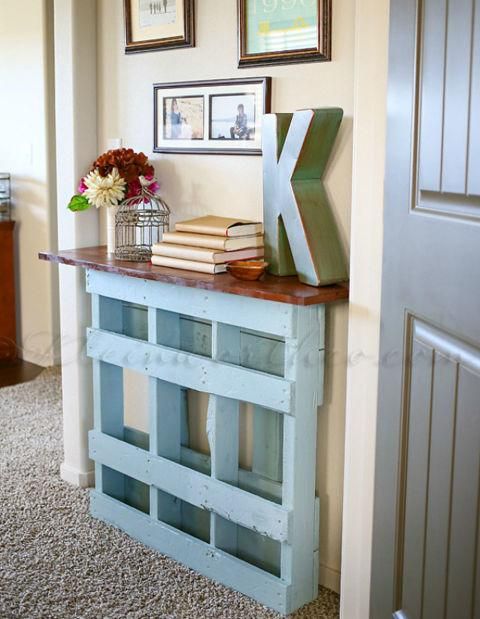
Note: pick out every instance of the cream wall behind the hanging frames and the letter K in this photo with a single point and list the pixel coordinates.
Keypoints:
(193, 185)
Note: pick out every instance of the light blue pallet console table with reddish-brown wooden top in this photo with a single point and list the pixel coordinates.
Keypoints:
(251, 346)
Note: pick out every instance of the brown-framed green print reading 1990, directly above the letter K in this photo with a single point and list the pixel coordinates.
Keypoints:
(283, 31)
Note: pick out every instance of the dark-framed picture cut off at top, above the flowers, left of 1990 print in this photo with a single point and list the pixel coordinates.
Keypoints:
(153, 25)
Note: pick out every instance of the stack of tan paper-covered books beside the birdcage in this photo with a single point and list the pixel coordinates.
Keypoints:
(208, 244)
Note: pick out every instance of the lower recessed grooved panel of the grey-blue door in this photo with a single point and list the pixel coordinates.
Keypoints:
(441, 476)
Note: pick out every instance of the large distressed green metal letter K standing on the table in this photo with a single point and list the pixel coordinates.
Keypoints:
(301, 236)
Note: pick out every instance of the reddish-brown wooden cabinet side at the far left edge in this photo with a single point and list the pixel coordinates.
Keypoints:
(8, 347)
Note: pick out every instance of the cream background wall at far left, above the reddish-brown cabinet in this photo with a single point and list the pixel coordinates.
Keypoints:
(25, 131)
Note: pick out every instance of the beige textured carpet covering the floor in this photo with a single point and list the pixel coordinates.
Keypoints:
(57, 562)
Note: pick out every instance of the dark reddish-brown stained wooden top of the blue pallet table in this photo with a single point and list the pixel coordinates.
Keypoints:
(269, 287)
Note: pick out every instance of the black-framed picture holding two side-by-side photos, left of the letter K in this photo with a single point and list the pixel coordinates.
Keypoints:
(215, 116)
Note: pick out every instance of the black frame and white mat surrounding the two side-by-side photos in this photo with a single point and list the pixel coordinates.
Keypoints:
(258, 86)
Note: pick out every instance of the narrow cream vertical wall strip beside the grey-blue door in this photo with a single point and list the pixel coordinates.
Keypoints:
(371, 59)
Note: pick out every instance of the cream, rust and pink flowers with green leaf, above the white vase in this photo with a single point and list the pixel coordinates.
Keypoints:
(115, 176)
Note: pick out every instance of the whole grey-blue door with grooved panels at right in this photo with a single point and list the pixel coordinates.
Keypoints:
(426, 537)
